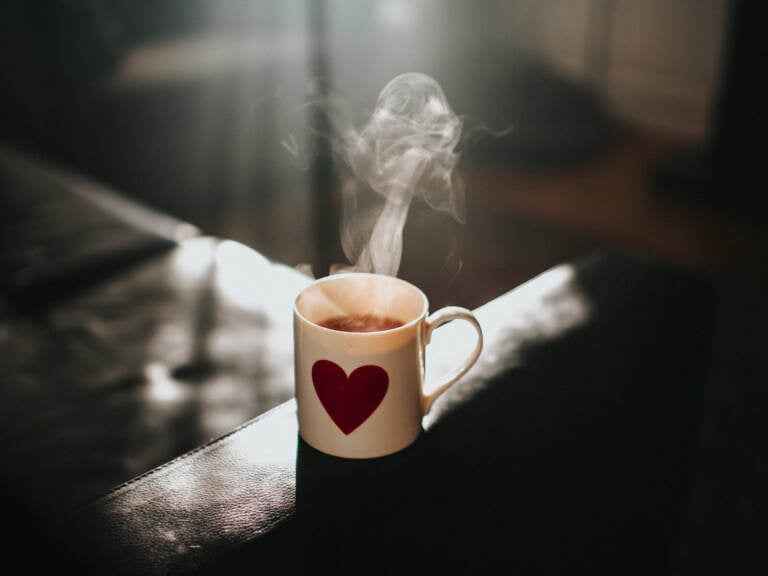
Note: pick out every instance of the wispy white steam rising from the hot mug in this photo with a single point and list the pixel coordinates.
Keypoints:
(405, 150)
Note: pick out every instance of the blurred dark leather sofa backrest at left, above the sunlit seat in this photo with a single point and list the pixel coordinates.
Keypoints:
(60, 231)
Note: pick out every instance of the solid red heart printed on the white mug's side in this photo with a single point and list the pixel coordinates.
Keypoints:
(349, 401)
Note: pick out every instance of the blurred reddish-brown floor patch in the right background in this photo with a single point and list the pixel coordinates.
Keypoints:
(613, 199)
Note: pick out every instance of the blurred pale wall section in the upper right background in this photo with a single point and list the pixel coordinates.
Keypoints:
(656, 62)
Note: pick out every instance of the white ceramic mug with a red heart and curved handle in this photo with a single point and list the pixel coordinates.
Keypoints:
(360, 394)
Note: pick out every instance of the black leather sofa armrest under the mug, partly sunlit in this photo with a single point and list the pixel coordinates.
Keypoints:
(565, 449)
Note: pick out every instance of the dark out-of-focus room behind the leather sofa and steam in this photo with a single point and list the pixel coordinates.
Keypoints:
(633, 125)
